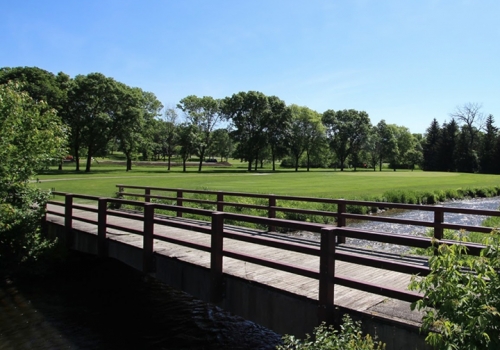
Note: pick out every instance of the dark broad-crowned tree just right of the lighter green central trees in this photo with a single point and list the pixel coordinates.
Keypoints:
(346, 130)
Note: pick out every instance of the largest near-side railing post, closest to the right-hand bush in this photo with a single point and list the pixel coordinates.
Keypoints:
(326, 275)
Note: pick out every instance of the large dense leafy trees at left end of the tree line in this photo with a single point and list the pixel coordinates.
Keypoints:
(96, 110)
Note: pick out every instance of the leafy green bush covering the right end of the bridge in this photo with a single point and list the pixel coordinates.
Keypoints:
(461, 298)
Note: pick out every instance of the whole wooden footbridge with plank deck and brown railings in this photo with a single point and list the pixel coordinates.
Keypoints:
(286, 283)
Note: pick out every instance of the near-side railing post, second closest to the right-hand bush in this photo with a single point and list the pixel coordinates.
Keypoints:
(216, 280)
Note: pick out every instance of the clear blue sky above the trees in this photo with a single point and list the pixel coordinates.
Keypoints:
(403, 61)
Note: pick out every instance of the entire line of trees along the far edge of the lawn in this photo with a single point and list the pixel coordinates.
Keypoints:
(102, 115)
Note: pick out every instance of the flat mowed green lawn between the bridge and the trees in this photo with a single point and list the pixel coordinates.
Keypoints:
(329, 183)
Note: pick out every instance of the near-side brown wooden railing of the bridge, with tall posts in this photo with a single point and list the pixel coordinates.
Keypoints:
(219, 230)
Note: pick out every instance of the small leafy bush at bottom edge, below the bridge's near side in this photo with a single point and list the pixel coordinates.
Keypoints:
(349, 337)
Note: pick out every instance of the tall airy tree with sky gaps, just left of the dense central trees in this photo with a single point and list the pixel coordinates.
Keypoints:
(205, 114)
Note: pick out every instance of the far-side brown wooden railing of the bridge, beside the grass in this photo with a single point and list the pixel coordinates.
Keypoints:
(341, 213)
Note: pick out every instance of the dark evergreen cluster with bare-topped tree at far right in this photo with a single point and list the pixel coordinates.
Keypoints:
(469, 142)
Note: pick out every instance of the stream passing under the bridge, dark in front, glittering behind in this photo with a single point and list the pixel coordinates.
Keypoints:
(93, 304)
